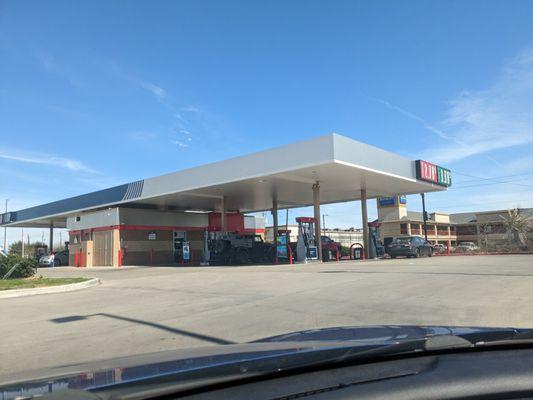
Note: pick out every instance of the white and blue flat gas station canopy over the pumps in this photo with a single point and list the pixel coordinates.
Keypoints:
(251, 183)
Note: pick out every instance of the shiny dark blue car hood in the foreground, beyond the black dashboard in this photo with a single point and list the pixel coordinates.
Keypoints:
(120, 370)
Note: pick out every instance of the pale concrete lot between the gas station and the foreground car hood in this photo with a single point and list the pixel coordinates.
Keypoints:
(139, 310)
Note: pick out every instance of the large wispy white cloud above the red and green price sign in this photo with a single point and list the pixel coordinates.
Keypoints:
(499, 117)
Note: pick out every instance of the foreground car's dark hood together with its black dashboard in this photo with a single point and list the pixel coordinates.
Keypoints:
(371, 362)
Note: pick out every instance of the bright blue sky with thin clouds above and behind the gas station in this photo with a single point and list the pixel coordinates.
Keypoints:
(98, 93)
